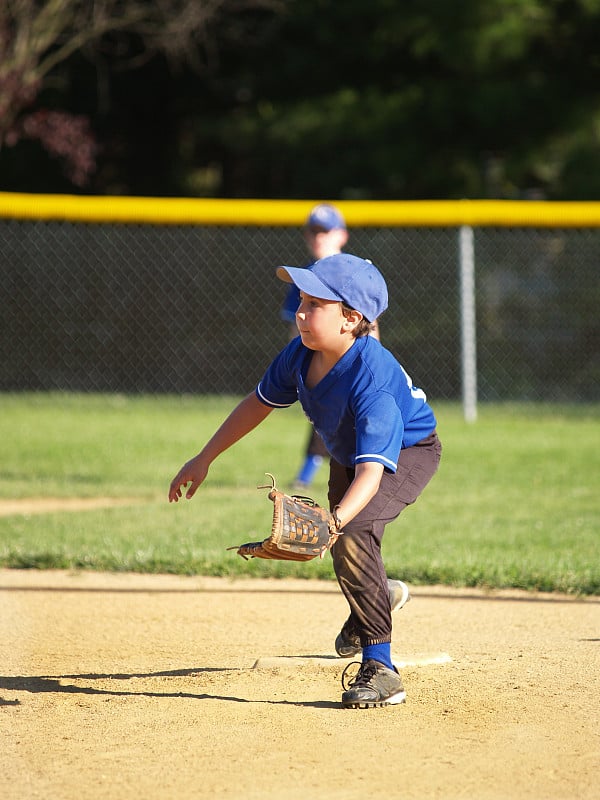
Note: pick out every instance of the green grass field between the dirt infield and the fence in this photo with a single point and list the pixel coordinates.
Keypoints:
(516, 502)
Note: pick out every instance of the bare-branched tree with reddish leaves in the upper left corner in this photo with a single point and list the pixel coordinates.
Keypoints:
(37, 36)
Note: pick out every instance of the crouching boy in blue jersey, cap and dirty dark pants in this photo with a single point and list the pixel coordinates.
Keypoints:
(380, 433)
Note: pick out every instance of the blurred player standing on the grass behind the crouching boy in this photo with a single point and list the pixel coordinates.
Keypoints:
(325, 234)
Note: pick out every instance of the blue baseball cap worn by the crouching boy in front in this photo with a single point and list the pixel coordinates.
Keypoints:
(343, 277)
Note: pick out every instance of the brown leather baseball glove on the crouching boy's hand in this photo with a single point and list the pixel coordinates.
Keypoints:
(300, 531)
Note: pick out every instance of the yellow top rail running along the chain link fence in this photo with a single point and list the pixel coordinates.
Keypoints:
(358, 213)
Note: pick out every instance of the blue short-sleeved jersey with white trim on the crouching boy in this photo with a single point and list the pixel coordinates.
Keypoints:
(365, 409)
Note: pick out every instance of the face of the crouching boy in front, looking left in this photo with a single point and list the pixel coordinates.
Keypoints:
(321, 323)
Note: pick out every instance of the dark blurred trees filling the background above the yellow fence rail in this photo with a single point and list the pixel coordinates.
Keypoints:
(319, 98)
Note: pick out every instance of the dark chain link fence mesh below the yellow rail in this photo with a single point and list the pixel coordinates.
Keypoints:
(196, 308)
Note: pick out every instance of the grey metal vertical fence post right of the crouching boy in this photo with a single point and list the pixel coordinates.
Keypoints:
(468, 336)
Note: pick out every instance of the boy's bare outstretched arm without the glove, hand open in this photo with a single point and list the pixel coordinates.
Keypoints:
(244, 418)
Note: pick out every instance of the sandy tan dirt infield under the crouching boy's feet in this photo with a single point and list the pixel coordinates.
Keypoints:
(121, 686)
